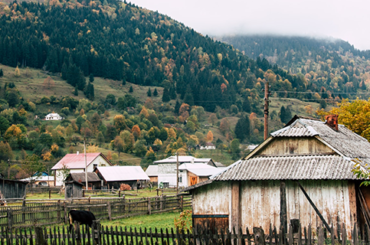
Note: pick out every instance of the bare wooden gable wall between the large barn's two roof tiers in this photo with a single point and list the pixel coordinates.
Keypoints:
(281, 146)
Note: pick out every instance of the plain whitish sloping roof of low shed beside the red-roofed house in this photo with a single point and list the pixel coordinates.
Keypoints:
(123, 173)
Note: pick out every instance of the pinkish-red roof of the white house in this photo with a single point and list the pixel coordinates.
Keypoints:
(73, 161)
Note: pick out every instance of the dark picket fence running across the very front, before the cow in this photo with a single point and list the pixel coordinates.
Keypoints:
(133, 236)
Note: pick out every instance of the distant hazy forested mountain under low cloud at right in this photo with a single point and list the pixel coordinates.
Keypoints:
(332, 66)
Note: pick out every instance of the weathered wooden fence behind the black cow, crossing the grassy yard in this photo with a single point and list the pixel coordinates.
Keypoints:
(40, 214)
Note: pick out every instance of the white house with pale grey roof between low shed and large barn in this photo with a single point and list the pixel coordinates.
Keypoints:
(167, 169)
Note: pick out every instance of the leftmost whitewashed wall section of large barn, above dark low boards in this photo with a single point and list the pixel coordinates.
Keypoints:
(212, 199)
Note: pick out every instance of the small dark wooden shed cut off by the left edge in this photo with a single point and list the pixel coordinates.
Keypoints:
(12, 188)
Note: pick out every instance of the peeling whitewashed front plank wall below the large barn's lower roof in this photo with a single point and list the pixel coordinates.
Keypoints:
(260, 202)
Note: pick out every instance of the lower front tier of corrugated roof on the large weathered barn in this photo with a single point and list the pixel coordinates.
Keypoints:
(289, 167)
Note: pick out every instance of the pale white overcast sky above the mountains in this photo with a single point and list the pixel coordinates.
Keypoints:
(343, 19)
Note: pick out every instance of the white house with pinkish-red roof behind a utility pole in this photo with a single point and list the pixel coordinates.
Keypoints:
(75, 163)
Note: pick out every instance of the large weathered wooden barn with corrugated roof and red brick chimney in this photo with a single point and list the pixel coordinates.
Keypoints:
(302, 167)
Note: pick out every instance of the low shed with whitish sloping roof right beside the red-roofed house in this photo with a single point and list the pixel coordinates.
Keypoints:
(114, 176)
